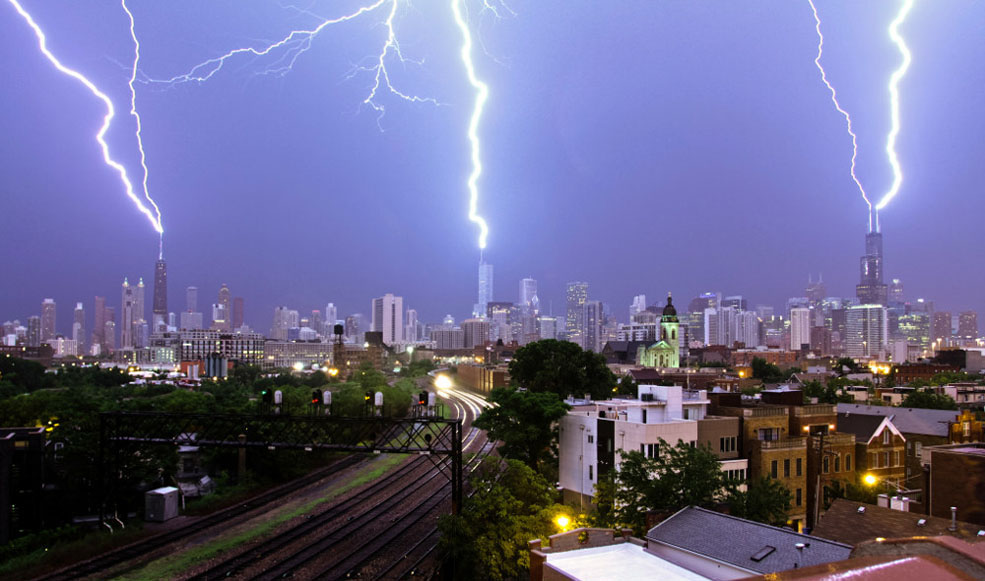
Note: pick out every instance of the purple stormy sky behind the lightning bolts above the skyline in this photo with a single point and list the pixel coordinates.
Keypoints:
(642, 146)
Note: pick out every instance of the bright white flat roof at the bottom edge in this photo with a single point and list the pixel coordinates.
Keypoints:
(621, 561)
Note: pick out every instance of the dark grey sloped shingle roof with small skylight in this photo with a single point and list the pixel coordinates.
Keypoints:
(751, 545)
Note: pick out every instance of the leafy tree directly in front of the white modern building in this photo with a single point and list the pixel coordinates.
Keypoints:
(678, 476)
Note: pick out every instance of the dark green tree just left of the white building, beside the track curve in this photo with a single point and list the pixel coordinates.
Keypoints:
(524, 421)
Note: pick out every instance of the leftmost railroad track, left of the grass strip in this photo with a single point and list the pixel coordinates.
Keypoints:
(142, 547)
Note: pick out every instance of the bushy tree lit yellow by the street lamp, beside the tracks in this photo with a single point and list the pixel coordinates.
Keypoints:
(511, 505)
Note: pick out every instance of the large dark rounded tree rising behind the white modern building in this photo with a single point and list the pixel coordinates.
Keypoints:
(563, 368)
